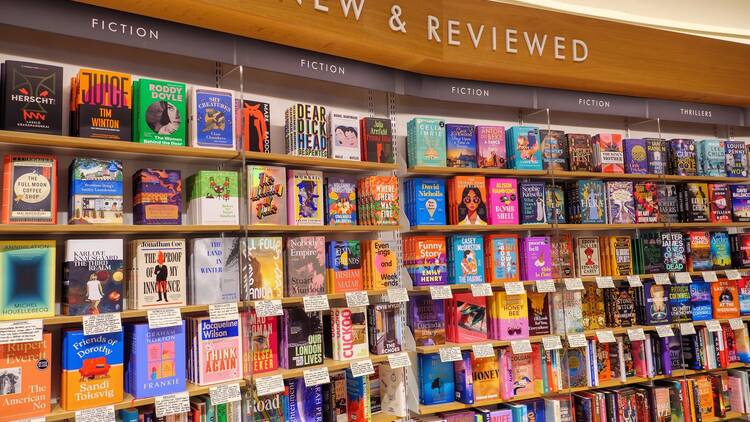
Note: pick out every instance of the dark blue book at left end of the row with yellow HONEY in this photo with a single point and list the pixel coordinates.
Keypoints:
(436, 379)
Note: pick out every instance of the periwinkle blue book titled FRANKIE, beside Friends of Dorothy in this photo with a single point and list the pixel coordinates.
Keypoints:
(155, 360)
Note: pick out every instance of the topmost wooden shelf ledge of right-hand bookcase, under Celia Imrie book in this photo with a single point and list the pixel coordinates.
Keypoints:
(561, 174)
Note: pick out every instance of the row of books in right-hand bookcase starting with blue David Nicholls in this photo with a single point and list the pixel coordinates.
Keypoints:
(476, 200)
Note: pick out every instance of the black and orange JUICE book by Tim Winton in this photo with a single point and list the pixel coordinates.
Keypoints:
(101, 105)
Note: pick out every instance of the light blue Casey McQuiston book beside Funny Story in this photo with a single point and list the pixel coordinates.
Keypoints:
(466, 259)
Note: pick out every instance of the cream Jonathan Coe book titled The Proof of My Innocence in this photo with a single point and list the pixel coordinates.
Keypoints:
(158, 275)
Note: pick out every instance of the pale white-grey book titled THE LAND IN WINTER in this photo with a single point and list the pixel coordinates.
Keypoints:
(215, 270)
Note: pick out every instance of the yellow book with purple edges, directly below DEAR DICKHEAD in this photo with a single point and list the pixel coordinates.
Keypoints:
(305, 197)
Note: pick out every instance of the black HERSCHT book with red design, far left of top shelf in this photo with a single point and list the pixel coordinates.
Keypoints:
(32, 97)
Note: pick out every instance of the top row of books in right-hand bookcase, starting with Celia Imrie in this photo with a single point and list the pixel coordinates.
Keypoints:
(432, 142)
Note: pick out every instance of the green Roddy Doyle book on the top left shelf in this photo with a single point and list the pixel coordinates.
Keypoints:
(160, 112)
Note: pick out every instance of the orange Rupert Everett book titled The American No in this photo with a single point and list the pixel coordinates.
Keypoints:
(25, 378)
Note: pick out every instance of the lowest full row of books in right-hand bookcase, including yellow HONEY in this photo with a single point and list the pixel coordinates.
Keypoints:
(505, 375)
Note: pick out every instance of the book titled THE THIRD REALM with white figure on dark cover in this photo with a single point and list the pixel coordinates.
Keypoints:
(93, 276)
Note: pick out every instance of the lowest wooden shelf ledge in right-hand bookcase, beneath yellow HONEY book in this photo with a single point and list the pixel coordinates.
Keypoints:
(445, 407)
